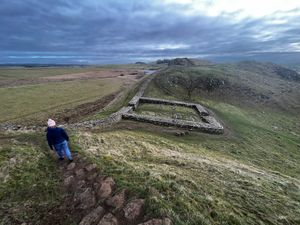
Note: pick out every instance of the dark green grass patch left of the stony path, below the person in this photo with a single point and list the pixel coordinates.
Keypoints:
(29, 181)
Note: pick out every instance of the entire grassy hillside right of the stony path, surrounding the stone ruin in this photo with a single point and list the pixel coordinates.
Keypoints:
(250, 175)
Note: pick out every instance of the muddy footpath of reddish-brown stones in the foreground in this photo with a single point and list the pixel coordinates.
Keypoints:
(92, 199)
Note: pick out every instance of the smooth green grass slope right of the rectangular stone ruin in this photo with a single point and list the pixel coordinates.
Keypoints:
(264, 138)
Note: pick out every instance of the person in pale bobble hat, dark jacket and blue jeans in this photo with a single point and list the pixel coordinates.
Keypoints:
(58, 138)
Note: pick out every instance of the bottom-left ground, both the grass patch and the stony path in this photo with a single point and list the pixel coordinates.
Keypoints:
(36, 188)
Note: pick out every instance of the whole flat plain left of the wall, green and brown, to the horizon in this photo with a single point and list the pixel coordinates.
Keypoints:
(33, 94)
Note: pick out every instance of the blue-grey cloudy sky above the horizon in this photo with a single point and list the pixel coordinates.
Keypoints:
(117, 31)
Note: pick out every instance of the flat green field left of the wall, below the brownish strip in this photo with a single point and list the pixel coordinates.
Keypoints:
(44, 99)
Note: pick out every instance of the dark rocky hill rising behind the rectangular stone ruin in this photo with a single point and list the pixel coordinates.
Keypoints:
(247, 84)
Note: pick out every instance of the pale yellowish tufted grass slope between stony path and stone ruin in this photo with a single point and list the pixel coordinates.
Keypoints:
(192, 183)
